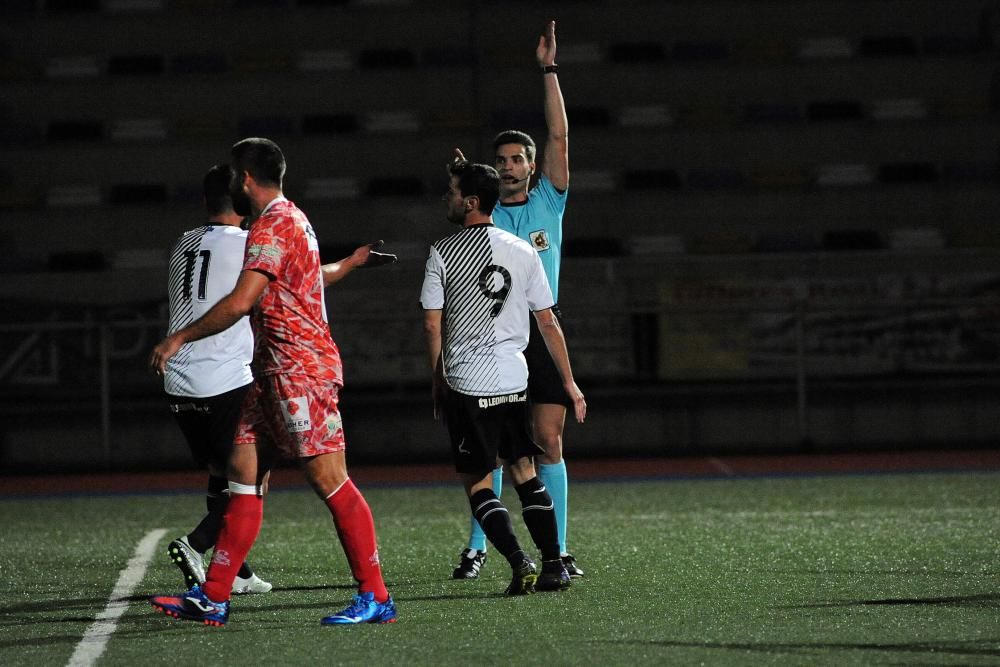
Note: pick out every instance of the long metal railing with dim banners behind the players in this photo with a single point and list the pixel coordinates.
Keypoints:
(98, 363)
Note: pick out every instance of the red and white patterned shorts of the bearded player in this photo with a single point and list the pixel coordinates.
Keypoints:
(296, 415)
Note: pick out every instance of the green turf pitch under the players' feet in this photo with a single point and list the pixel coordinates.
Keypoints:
(838, 570)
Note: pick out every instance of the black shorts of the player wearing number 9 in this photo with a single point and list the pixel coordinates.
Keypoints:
(481, 428)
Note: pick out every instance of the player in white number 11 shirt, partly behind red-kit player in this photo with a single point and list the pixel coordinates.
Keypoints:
(207, 380)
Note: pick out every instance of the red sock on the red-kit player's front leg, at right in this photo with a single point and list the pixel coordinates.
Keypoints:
(356, 529)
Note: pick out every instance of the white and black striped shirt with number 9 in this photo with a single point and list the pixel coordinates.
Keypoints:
(486, 281)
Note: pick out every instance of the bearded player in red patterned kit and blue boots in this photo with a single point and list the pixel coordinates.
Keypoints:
(292, 406)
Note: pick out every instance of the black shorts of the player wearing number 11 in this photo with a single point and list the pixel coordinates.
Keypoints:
(209, 424)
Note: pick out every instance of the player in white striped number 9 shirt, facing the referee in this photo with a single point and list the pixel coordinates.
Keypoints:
(479, 286)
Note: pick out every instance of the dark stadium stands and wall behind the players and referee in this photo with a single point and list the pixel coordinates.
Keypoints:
(781, 233)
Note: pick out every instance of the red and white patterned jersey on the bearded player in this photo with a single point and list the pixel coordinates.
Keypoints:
(289, 322)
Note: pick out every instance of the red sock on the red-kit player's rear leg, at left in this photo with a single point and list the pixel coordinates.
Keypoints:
(240, 526)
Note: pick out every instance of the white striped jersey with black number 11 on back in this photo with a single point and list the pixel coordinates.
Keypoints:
(204, 266)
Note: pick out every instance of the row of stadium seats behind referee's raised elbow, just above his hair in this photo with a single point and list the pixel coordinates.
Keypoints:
(14, 133)
